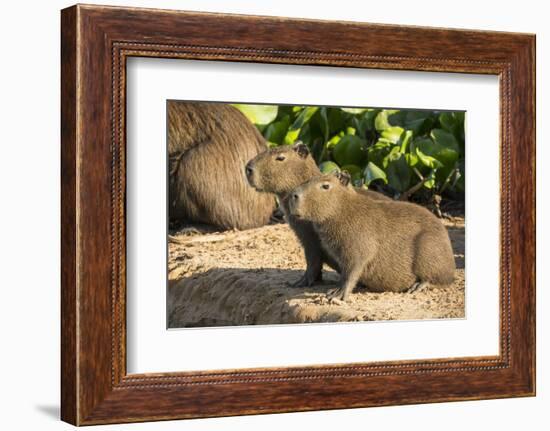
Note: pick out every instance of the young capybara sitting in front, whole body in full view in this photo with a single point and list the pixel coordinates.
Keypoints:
(388, 246)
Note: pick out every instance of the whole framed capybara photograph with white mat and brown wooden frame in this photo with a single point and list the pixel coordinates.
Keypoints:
(258, 216)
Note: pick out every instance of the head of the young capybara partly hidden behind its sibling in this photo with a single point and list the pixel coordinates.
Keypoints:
(281, 169)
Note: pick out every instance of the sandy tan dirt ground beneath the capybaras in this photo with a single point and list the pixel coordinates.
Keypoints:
(243, 278)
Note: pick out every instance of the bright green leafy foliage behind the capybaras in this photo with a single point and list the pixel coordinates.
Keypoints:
(401, 151)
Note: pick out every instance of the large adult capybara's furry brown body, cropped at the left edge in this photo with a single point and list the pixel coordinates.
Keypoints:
(208, 144)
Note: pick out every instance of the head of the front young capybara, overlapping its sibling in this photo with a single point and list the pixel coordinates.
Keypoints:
(319, 198)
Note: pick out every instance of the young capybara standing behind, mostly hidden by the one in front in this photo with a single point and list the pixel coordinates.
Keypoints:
(280, 170)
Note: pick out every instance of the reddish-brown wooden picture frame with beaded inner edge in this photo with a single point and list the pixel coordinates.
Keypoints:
(95, 43)
